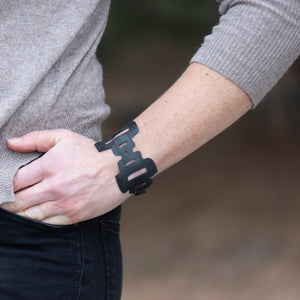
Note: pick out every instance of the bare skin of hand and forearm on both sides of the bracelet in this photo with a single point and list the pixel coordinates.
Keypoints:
(73, 182)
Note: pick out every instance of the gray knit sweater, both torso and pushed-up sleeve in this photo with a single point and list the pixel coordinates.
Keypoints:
(50, 77)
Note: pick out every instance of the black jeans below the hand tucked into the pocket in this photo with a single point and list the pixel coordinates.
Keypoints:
(42, 262)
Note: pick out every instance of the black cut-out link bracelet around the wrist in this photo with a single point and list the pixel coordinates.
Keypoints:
(135, 171)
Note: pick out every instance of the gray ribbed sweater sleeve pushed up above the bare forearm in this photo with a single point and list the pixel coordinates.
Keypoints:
(254, 44)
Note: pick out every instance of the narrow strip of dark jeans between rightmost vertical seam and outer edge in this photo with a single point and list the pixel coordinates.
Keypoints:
(110, 230)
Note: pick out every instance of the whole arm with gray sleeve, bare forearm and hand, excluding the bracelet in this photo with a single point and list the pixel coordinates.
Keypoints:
(254, 44)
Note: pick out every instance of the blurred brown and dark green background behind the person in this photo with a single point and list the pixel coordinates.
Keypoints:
(225, 222)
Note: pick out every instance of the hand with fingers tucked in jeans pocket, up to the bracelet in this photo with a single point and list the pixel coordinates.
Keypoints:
(71, 182)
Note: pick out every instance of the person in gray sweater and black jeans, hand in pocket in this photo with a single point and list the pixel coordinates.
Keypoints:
(60, 197)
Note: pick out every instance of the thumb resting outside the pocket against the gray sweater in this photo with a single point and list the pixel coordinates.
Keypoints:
(41, 141)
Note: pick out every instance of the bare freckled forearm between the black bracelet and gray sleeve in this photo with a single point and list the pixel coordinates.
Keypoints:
(201, 104)
